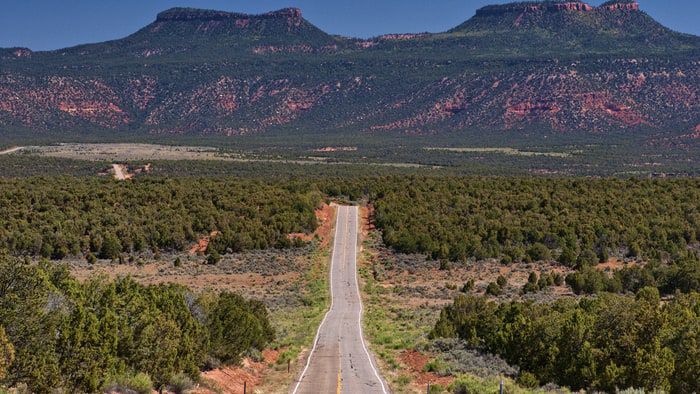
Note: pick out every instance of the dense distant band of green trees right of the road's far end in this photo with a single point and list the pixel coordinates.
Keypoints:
(578, 222)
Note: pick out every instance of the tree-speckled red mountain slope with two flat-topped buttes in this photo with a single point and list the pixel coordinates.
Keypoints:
(554, 65)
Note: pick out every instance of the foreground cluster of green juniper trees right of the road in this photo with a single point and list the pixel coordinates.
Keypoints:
(606, 343)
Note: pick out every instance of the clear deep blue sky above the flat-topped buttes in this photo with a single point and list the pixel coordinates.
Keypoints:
(53, 24)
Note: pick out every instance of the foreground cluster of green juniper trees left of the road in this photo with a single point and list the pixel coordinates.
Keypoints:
(56, 332)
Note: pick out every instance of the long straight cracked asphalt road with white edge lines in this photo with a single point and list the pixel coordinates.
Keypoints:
(339, 361)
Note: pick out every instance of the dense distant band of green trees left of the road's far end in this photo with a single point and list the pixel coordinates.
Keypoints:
(61, 216)
